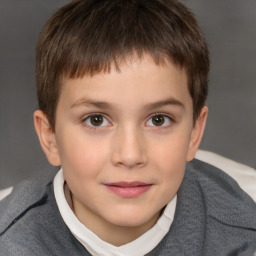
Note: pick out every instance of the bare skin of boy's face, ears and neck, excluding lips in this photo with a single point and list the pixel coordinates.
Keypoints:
(128, 145)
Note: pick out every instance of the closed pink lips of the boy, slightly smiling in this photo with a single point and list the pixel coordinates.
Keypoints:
(128, 189)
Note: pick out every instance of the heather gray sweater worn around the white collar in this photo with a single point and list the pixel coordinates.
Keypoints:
(213, 217)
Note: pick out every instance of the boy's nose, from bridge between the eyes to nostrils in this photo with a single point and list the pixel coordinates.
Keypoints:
(129, 149)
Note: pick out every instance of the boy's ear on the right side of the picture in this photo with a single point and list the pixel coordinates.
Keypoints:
(197, 133)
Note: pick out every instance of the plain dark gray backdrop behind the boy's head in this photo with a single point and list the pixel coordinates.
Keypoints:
(230, 28)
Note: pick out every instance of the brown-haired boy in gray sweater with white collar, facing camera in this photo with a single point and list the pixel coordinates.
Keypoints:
(122, 87)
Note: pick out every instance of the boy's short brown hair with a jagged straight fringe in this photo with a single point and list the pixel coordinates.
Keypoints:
(86, 37)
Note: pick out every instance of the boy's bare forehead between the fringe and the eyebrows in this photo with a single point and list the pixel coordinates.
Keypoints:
(137, 80)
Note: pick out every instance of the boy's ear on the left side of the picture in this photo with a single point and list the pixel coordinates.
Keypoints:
(46, 137)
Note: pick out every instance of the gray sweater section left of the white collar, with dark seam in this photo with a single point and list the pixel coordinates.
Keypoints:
(31, 224)
